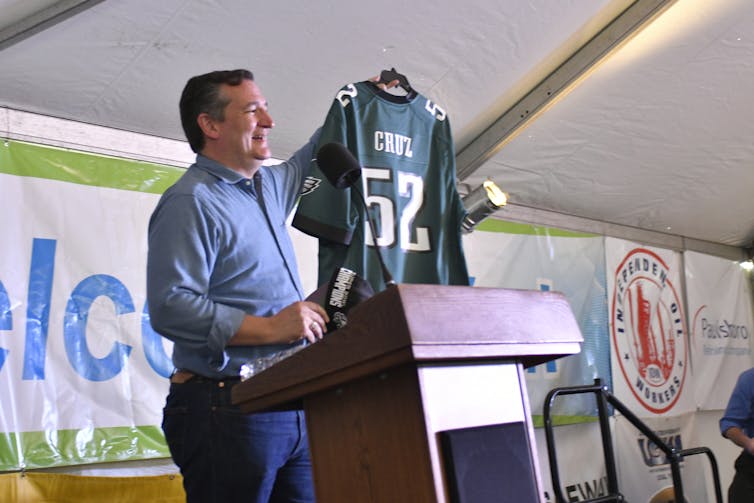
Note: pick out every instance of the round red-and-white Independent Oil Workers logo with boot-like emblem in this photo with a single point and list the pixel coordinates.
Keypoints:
(649, 331)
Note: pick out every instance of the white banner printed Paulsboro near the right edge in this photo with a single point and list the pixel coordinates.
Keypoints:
(719, 304)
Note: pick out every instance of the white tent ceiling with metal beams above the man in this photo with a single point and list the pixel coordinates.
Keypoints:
(655, 136)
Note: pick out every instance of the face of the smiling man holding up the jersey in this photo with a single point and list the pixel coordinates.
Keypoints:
(243, 133)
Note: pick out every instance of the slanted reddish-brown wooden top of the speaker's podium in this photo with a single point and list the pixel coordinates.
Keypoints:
(422, 323)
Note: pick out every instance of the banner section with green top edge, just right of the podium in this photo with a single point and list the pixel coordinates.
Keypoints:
(507, 255)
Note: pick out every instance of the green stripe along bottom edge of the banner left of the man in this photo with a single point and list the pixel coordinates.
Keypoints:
(42, 449)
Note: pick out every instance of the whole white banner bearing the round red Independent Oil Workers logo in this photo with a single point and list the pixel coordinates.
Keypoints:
(648, 332)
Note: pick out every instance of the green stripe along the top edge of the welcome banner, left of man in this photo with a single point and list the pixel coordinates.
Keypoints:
(53, 163)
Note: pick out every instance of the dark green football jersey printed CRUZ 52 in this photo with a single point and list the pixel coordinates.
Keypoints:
(408, 181)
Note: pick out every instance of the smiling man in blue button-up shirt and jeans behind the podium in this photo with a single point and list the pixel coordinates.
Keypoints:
(222, 284)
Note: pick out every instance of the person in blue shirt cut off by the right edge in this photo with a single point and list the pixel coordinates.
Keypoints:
(737, 425)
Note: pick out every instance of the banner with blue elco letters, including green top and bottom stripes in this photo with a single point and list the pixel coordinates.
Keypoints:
(82, 374)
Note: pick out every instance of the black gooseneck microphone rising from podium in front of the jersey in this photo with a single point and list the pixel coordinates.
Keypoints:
(342, 169)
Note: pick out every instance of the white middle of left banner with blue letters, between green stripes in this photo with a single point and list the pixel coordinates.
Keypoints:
(75, 282)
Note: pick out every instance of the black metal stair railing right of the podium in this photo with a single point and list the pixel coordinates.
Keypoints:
(605, 398)
